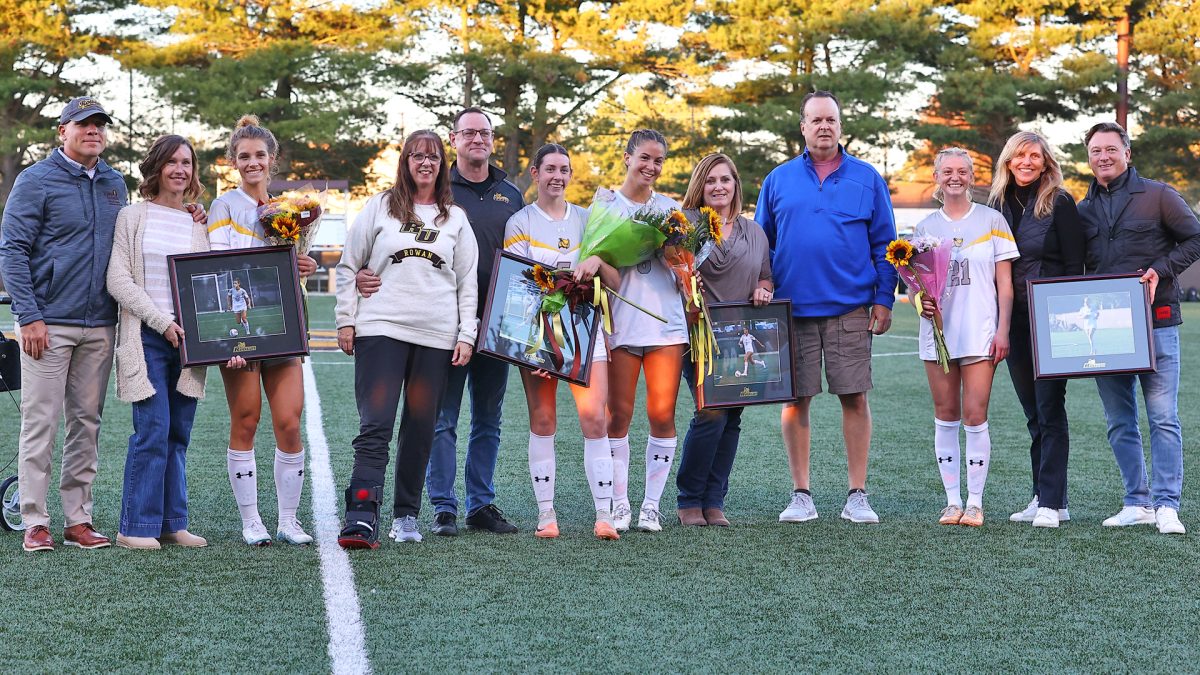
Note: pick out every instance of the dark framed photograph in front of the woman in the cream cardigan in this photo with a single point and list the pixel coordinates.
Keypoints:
(244, 303)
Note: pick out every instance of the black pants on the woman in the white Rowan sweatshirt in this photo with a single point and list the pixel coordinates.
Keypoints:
(385, 367)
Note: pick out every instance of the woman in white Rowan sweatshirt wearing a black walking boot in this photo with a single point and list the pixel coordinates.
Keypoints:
(406, 337)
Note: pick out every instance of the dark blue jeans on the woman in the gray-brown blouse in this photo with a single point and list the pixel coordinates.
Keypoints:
(709, 452)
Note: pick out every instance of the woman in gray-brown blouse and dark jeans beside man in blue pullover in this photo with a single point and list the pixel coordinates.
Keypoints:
(736, 272)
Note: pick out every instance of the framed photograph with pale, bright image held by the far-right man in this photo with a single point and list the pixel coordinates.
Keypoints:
(1091, 326)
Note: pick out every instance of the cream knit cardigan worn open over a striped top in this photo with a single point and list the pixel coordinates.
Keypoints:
(127, 285)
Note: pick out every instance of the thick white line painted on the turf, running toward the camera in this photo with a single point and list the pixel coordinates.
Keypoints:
(347, 642)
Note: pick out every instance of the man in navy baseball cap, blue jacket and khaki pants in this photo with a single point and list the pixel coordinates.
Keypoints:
(56, 240)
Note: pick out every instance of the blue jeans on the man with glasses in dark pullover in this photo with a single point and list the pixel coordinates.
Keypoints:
(487, 379)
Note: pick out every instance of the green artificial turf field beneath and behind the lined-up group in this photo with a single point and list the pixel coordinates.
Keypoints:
(907, 595)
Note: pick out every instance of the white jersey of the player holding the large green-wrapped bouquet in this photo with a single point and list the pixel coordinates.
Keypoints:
(651, 285)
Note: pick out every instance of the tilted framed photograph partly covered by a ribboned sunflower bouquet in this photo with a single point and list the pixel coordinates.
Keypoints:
(512, 326)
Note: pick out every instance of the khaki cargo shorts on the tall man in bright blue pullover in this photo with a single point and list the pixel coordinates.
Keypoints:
(845, 345)
